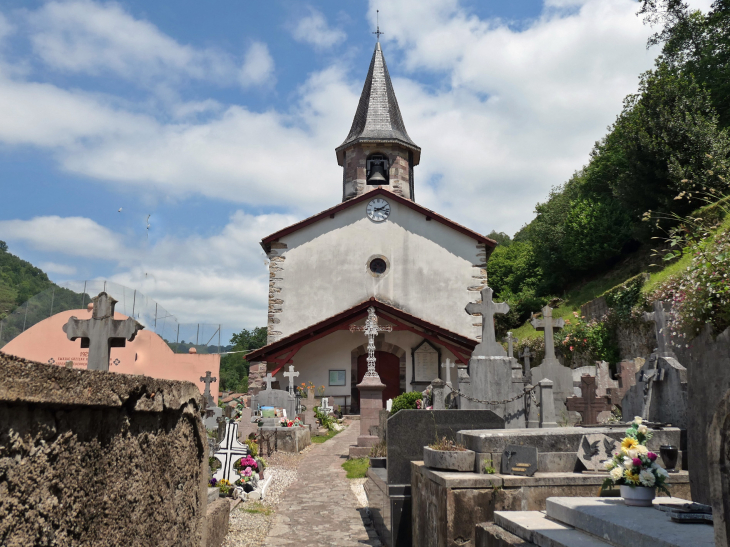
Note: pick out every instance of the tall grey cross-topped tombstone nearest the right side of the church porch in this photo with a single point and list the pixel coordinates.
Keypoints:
(492, 376)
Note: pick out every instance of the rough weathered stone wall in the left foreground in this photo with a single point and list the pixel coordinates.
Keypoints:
(97, 458)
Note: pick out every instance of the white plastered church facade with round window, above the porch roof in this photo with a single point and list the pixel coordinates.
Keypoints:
(432, 268)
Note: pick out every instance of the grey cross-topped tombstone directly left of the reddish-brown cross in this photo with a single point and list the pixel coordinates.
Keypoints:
(551, 369)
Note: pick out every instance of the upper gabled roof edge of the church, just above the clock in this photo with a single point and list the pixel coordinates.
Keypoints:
(380, 191)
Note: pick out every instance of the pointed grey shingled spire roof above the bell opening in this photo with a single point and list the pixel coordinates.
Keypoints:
(378, 118)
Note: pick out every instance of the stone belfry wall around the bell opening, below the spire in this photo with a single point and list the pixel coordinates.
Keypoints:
(355, 170)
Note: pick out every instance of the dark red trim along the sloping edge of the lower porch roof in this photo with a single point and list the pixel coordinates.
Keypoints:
(280, 346)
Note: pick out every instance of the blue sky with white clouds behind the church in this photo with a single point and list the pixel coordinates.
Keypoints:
(220, 121)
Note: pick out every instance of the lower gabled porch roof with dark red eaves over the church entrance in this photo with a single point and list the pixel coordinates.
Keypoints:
(280, 352)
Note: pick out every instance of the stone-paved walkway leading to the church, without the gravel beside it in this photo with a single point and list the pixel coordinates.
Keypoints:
(320, 508)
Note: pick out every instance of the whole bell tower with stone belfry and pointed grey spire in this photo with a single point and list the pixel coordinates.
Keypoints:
(378, 150)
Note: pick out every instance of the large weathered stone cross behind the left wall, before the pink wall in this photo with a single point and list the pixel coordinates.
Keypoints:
(102, 332)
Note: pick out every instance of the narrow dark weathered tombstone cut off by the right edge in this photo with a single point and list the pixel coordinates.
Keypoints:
(718, 456)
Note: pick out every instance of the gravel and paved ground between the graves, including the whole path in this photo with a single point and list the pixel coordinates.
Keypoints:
(310, 501)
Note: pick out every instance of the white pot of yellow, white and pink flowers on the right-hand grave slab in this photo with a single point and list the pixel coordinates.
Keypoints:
(634, 469)
